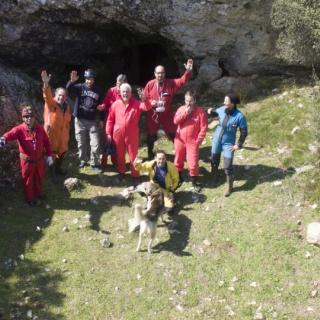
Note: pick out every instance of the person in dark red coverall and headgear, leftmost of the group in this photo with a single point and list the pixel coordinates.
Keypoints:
(32, 141)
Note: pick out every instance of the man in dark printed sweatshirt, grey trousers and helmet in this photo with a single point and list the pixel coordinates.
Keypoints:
(87, 117)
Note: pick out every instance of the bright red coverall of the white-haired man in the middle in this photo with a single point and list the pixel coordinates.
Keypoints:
(123, 126)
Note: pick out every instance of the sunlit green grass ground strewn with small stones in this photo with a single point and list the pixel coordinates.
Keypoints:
(251, 237)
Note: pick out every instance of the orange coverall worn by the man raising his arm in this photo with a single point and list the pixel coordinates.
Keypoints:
(56, 123)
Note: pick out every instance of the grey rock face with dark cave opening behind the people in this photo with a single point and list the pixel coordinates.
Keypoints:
(226, 38)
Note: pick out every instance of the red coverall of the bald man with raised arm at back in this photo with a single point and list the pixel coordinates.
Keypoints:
(152, 92)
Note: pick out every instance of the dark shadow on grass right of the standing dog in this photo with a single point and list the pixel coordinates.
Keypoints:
(179, 237)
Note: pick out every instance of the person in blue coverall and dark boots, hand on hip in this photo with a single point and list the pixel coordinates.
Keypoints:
(224, 139)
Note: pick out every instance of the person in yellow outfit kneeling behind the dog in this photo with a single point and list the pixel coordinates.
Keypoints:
(163, 173)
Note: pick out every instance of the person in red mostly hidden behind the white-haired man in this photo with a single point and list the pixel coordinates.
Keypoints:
(112, 95)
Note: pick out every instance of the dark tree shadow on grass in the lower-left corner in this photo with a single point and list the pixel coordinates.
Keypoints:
(25, 285)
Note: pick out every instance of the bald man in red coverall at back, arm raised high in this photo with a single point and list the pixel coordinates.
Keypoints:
(160, 91)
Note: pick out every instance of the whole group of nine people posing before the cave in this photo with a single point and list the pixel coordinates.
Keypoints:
(117, 113)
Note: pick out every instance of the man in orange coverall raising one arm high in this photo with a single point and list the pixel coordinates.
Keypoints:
(57, 117)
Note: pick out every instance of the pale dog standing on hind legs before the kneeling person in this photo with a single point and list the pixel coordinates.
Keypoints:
(147, 217)
